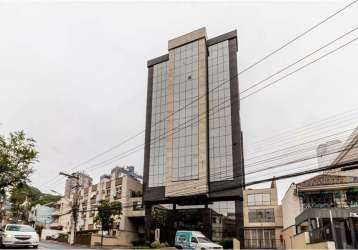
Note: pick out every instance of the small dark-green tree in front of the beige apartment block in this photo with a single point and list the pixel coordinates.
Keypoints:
(107, 213)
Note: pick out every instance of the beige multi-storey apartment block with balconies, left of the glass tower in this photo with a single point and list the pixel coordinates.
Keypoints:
(117, 186)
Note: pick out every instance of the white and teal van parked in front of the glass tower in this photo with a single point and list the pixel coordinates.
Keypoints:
(194, 240)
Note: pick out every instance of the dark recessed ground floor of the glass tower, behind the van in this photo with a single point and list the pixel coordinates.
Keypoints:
(220, 221)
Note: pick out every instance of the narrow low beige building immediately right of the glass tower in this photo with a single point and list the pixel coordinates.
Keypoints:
(262, 218)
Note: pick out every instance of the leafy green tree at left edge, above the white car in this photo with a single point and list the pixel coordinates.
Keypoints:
(17, 154)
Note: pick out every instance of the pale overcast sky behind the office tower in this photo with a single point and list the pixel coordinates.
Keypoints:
(73, 75)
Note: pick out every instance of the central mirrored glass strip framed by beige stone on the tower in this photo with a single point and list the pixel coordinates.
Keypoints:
(185, 113)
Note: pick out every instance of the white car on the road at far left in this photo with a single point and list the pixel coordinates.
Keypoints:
(18, 235)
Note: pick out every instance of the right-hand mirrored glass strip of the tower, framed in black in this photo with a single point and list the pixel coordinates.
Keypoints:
(220, 134)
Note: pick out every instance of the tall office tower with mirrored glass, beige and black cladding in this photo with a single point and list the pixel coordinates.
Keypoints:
(193, 163)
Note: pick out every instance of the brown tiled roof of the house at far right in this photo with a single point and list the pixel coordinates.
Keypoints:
(328, 179)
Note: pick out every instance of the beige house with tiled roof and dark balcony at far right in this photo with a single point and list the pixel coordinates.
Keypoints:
(321, 212)
